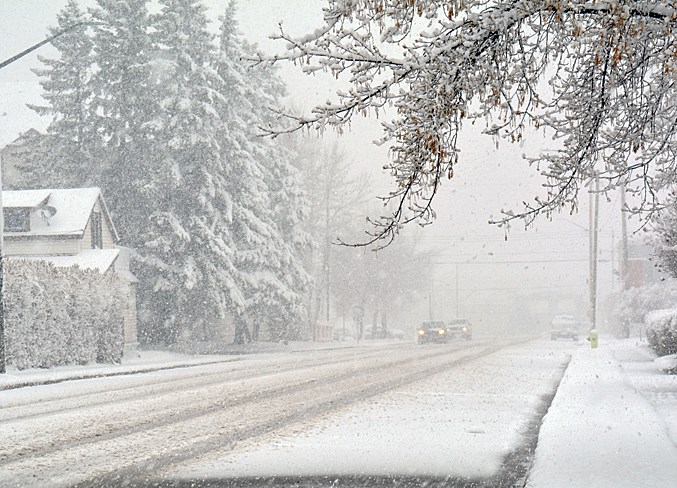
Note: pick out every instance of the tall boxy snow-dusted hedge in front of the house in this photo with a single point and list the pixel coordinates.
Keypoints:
(58, 316)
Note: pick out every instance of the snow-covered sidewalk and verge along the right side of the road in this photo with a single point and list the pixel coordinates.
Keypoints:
(603, 429)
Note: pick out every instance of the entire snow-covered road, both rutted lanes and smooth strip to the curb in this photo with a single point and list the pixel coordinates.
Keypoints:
(181, 423)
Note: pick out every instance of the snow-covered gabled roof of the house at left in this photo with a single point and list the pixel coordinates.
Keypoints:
(73, 209)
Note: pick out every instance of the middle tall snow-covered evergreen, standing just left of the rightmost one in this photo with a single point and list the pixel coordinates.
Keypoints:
(187, 257)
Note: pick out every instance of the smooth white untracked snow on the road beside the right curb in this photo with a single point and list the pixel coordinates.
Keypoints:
(461, 422)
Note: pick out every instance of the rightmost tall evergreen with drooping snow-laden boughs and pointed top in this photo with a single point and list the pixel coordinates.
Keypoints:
(269, 207)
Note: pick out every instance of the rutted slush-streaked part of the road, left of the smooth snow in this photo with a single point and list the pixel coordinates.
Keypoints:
(97, 430)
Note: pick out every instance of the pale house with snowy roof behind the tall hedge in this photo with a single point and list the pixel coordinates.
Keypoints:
(69, 227)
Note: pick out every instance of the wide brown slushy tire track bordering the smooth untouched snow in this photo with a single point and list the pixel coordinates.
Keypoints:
(130, 452)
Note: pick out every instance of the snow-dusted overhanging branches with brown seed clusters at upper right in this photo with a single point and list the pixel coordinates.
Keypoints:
(599, 76)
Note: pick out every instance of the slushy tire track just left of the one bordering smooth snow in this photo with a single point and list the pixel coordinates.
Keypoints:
(51, 434)
